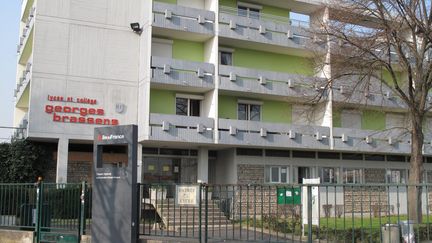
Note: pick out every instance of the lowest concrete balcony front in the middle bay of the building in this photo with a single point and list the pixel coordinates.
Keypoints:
(254, 133)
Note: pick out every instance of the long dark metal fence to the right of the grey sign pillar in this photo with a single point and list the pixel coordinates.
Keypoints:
(280, 213)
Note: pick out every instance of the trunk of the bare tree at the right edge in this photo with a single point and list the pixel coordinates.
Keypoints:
(416, 170)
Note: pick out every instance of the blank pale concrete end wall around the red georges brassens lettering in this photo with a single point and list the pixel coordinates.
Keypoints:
(83, 50)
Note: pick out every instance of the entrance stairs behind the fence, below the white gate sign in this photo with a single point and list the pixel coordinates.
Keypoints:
(182, 218)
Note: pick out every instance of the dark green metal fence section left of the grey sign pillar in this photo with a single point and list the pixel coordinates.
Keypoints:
(55, 212)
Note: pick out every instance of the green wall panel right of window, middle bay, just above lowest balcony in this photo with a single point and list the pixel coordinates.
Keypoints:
(276, 111)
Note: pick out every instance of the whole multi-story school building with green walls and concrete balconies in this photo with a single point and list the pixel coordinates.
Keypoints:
(220, 91)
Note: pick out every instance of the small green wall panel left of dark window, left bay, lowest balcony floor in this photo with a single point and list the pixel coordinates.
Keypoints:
(162, 101)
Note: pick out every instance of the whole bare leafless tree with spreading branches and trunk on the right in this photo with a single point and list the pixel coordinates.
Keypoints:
(383, 45)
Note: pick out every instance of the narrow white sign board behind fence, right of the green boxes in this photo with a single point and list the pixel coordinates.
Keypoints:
(314, 200)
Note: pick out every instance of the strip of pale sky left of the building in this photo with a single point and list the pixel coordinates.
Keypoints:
(10, 11)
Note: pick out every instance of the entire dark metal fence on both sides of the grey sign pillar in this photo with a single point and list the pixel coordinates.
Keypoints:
(270, 213)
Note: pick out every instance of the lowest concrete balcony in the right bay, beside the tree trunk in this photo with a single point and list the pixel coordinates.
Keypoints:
(387, 141)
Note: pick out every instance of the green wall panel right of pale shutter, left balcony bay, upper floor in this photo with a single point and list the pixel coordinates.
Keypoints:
(188, 50)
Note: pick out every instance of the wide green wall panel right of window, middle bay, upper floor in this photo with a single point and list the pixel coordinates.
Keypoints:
(272, 62)
